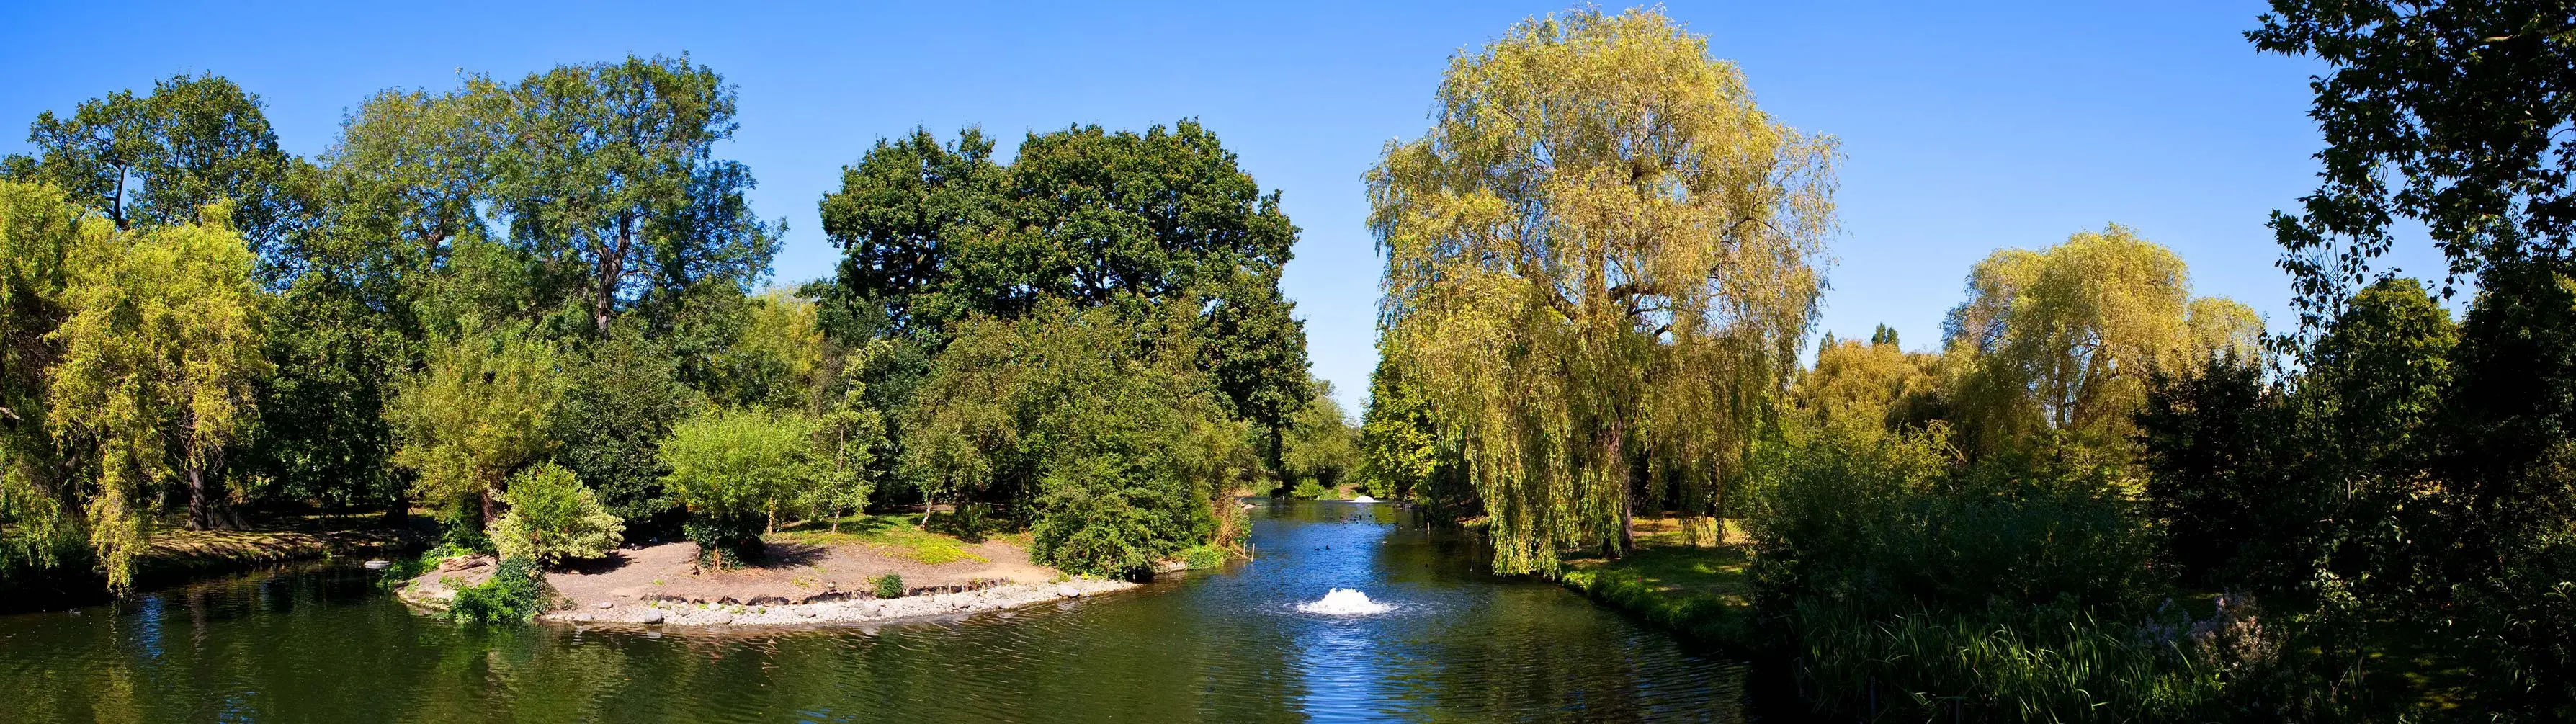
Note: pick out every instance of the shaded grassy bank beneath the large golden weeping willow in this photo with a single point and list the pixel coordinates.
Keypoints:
(1683, 578)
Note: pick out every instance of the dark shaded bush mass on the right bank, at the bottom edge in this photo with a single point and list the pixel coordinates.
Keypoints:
(1985, 591)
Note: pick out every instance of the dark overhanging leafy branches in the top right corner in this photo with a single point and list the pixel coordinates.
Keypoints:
(2415, 133)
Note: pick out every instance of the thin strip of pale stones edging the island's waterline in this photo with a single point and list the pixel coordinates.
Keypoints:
(836, 612)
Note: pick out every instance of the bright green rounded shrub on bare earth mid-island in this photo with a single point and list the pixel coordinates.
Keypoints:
(730, 470)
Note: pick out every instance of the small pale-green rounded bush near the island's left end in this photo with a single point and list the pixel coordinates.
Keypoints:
(553, 519)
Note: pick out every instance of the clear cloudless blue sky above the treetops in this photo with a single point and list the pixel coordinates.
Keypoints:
(1969, 130)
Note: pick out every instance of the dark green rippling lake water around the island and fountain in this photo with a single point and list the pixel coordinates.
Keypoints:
(1459, 645)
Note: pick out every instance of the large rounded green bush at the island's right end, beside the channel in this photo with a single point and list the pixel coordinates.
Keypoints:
(1114, 442)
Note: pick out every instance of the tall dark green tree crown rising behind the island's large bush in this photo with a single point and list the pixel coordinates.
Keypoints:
(939, 233)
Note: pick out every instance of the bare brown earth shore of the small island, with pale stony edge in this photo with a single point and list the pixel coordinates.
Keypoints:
(810, 576)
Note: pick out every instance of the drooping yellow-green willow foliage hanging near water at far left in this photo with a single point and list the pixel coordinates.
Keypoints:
(158, 354)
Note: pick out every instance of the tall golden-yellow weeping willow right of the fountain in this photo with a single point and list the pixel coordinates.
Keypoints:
(1598, 269)
